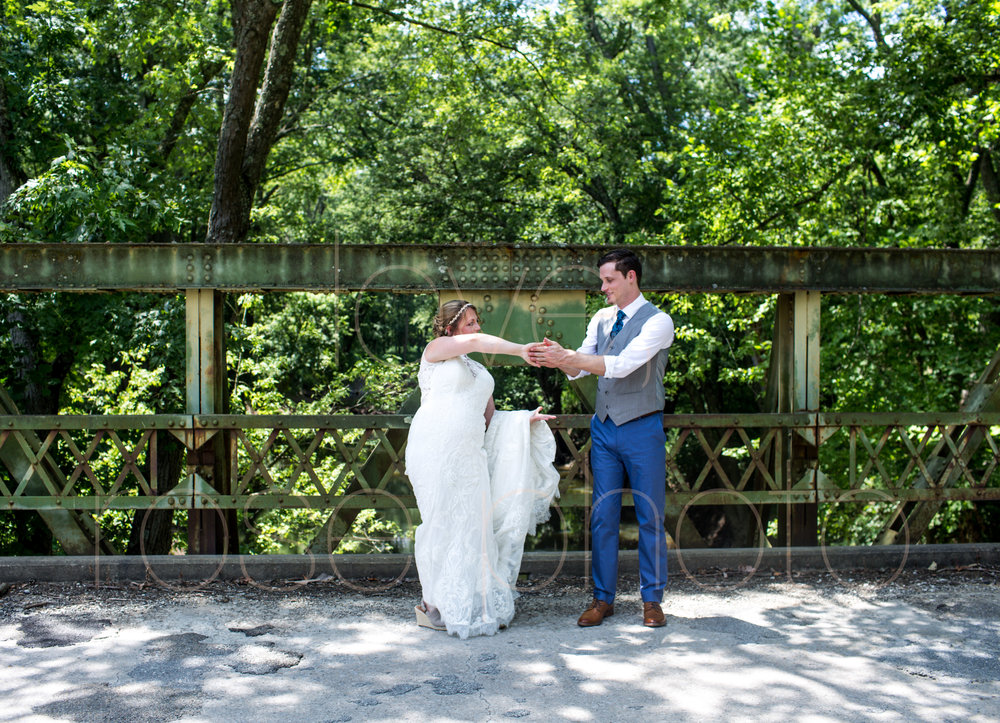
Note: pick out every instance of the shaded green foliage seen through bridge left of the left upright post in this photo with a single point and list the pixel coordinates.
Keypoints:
(101, 354)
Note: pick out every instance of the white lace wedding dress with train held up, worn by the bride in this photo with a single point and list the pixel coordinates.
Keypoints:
(479, 491)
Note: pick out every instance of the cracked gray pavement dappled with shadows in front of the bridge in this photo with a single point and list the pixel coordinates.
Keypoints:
(924, 646)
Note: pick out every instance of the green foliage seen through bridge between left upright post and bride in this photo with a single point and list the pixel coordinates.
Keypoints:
(320, 354)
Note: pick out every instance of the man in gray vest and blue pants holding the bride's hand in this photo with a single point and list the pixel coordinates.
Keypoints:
(626, 345)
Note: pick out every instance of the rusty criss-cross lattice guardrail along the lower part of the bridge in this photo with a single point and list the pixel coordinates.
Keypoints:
(345, 463)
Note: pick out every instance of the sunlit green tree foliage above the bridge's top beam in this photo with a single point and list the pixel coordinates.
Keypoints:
(618, 121)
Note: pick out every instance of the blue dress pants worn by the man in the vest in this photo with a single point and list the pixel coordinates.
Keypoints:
(634, 451)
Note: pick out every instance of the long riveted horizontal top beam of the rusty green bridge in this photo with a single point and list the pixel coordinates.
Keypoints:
(169, 268)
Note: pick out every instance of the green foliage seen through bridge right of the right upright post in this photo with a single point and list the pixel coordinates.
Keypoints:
(936, 348)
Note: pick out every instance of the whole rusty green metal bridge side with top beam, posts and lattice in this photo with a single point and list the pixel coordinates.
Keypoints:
(70, 469)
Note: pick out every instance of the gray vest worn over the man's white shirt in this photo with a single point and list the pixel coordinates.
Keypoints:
(641, 392)
